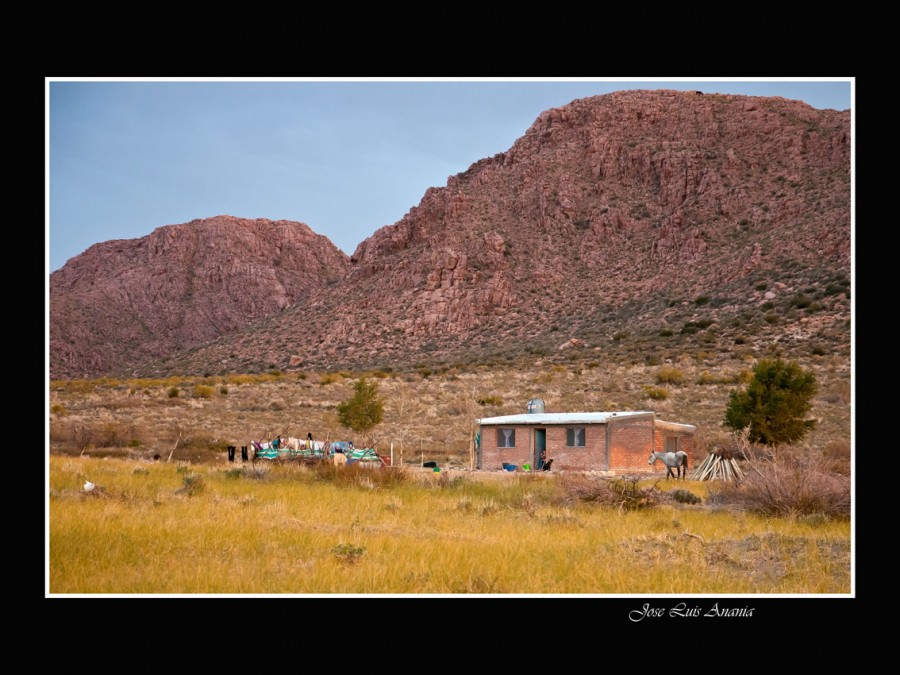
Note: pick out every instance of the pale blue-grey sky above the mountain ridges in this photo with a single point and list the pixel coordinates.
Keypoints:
(345, 157)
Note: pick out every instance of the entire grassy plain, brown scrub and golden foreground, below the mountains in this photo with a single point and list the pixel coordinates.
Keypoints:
(190, 522)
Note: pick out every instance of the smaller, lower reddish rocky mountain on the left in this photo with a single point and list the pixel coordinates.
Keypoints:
(125, 302)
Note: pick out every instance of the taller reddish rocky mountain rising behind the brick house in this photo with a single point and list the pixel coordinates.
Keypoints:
(639, 221)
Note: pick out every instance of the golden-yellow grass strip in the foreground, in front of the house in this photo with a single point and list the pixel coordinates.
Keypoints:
(179, 528)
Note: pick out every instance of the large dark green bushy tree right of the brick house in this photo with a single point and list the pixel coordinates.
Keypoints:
(774, 404)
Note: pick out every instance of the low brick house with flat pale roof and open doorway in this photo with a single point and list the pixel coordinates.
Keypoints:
(616, 442)
